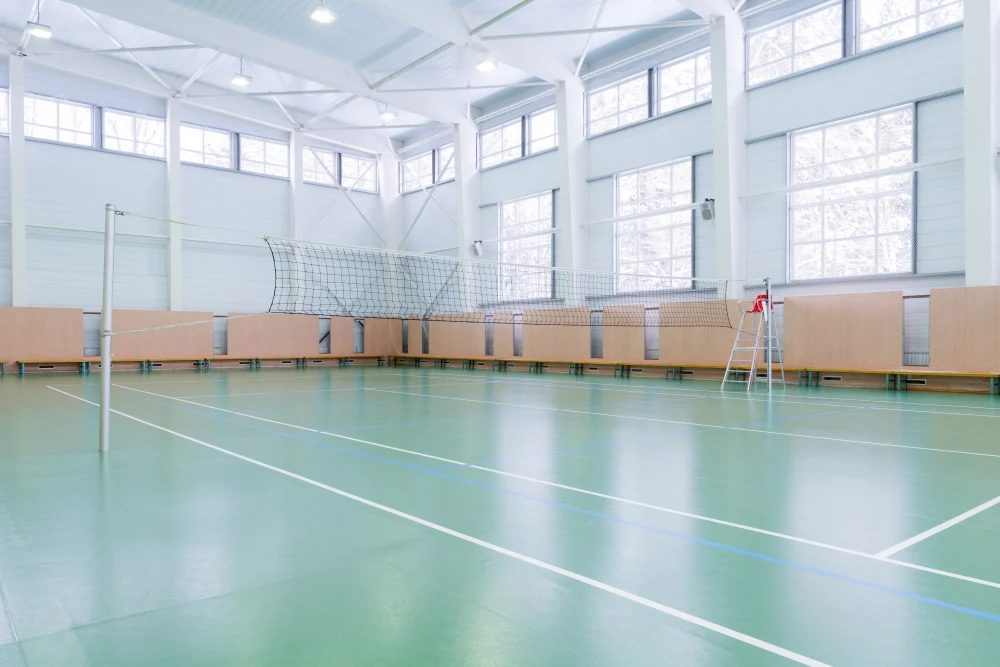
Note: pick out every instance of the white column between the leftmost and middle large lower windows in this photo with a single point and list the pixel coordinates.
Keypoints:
(571, 206)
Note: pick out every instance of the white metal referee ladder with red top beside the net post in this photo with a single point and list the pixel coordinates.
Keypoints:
(756, 344)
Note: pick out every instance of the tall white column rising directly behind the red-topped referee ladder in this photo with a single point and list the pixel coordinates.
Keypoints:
(729, 131)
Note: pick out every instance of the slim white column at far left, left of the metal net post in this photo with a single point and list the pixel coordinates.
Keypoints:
(18, 206)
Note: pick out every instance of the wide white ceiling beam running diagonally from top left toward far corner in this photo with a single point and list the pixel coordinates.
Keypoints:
(199, 28)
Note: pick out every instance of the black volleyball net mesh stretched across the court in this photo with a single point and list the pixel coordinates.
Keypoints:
(330, 280)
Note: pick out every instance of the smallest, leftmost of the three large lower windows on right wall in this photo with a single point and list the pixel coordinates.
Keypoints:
(526, 239)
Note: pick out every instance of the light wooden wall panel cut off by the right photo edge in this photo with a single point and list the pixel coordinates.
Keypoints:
(965, 329)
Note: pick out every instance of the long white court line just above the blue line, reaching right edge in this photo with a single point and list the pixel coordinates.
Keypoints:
(574, 489)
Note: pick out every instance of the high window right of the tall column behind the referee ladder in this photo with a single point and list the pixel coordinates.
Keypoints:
(803, 42)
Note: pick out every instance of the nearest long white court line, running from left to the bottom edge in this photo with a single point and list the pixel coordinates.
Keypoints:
(555, 569)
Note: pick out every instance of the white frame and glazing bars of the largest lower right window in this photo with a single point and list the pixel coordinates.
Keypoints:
(791, 206)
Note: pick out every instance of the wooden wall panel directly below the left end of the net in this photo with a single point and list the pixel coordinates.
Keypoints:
(274, 335)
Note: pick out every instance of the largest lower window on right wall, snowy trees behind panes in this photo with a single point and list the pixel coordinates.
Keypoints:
(861, 227)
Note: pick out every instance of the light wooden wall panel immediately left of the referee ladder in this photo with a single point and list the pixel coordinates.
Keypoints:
(695, 346)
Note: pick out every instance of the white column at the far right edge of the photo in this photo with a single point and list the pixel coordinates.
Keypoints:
(982, 142)
